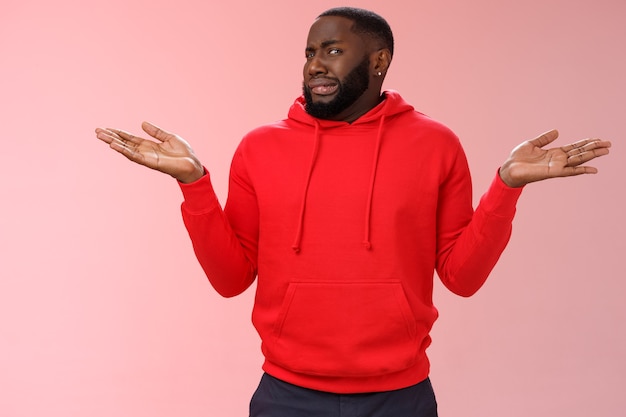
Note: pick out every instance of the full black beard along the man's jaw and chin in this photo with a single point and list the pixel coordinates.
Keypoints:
(353, 87)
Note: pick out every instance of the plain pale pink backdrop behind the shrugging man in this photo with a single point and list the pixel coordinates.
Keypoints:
(104, 310)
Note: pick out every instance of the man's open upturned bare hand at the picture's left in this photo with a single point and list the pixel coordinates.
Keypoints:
(170, 153)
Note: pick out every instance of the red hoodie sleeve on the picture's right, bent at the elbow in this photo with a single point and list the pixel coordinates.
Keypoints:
(470, 242)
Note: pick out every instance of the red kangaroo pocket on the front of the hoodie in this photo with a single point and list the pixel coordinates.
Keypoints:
(345, 329)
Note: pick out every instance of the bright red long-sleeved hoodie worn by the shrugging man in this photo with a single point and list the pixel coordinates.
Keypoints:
(345, 224)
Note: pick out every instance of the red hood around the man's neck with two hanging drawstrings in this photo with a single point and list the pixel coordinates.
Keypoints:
(391, 105)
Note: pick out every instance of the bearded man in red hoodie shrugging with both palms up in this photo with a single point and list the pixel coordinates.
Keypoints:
(343, 212)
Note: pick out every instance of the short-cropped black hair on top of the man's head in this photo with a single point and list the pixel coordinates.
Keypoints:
(365, 22)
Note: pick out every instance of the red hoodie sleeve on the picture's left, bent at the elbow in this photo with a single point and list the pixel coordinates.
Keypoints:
(224, 240)
